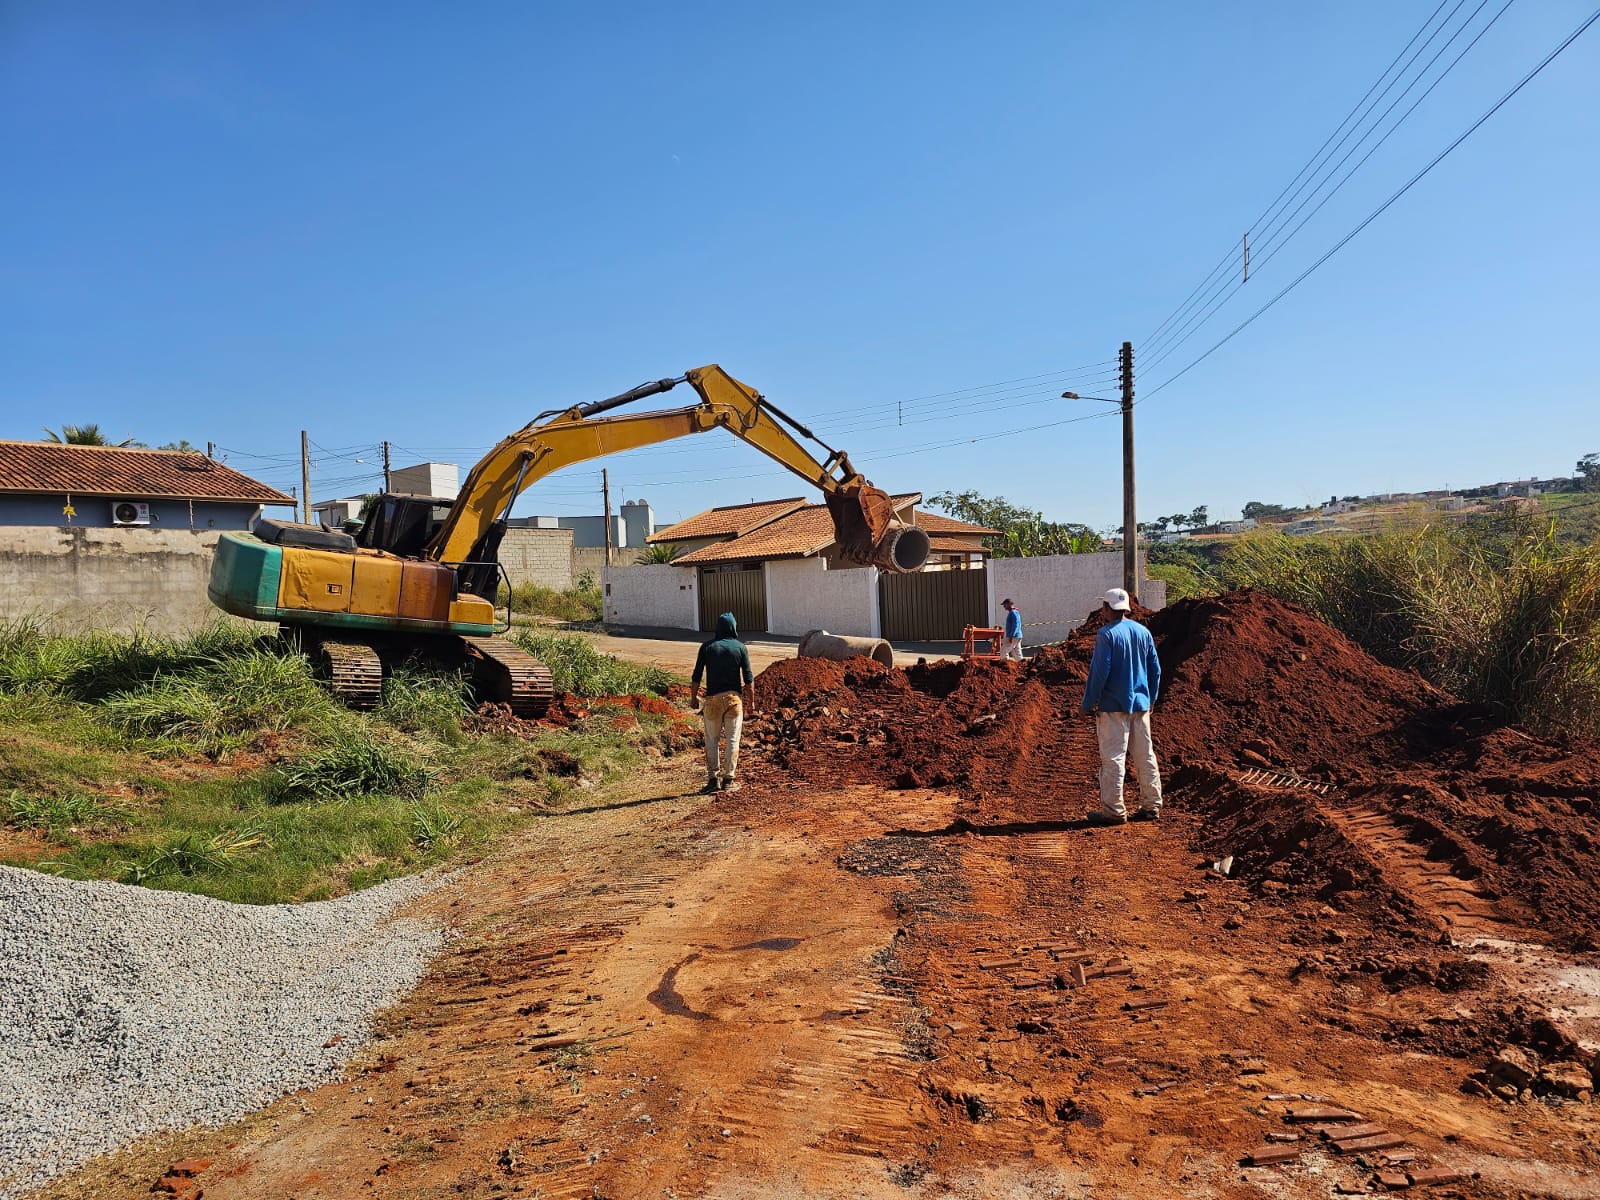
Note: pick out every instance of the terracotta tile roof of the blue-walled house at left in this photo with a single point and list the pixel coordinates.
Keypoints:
(137, 474)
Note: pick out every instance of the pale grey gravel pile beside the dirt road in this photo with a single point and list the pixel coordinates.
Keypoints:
(126, 1012)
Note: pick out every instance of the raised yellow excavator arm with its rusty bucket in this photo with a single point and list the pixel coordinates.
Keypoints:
(865, 524)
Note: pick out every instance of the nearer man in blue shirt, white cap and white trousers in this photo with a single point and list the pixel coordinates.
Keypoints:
(1126, 676)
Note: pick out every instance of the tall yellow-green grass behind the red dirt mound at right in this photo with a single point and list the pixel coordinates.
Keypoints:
(1495, 610)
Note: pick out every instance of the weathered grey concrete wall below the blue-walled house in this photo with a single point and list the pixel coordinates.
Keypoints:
(121, 580)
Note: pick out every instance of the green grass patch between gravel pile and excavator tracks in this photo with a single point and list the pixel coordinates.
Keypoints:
(218, 764)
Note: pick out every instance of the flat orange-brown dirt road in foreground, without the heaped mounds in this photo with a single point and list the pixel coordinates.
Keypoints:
(855, 993)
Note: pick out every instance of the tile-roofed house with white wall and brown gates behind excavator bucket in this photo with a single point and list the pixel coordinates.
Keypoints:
(777, 569)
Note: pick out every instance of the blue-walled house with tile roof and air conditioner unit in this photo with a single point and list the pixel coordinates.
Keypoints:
(47, 484)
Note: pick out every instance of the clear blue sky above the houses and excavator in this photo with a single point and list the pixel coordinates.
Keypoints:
(428, 223)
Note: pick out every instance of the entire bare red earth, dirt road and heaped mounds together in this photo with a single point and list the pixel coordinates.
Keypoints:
(900, 964)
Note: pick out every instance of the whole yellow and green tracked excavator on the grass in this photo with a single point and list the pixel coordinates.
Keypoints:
(422, 575)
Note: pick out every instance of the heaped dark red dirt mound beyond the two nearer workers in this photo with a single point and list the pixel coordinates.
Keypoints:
(1377, 782)
